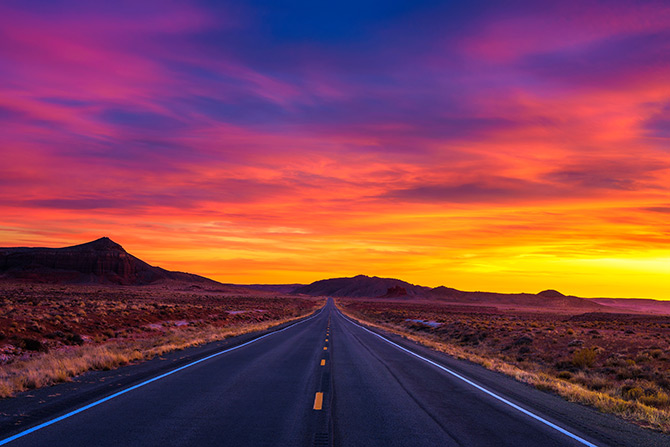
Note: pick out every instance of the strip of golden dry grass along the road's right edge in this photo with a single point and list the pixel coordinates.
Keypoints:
(647, 409)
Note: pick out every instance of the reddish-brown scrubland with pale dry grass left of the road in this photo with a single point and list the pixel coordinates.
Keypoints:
(51, 333)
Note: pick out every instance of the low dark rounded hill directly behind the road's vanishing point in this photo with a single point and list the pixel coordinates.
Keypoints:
(362, 286)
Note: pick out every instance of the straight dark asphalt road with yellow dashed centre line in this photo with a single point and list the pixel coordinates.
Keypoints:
(328, 381)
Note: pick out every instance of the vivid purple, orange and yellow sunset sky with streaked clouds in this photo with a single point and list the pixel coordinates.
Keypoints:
(502, 146)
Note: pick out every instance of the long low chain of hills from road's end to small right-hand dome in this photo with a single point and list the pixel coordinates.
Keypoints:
(374, 287)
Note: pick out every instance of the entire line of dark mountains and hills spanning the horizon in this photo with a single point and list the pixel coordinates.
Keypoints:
(103, 261)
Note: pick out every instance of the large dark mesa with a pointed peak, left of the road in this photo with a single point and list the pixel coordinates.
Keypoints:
(101, 261)
